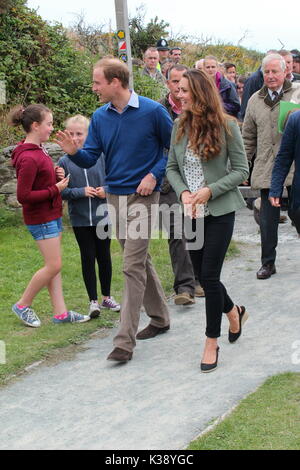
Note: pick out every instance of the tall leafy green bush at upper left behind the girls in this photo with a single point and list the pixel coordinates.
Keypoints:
(39, 64)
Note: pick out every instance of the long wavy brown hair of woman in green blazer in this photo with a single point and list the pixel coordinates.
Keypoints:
(205, 122)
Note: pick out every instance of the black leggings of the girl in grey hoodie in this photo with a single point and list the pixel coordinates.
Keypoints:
(93, 249)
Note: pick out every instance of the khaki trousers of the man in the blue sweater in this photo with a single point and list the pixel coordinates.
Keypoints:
(132, 216)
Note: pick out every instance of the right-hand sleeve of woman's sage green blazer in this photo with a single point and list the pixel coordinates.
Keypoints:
(239, 169)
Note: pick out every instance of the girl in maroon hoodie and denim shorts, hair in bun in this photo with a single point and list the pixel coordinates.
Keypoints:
(38, 190)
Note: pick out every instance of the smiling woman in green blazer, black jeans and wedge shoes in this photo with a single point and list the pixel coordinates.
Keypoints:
(207, 162)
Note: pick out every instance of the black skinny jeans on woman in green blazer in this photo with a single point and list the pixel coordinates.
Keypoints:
(208, 262)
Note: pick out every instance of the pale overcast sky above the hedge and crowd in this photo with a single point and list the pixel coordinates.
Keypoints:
(265, 25)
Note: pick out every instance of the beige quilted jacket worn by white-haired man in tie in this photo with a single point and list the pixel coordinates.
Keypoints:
(260, 133)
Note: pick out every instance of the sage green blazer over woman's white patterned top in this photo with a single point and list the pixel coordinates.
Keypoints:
(222, 174)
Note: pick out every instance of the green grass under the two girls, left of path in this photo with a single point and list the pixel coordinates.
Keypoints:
(19, 259)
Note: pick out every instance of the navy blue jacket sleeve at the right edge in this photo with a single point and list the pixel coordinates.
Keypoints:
(284, 159)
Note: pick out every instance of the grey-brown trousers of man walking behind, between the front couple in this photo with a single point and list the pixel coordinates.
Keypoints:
(181, 262)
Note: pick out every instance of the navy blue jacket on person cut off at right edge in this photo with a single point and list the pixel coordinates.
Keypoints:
(289, 152)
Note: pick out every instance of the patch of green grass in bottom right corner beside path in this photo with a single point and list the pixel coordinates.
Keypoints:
(268, 419)
